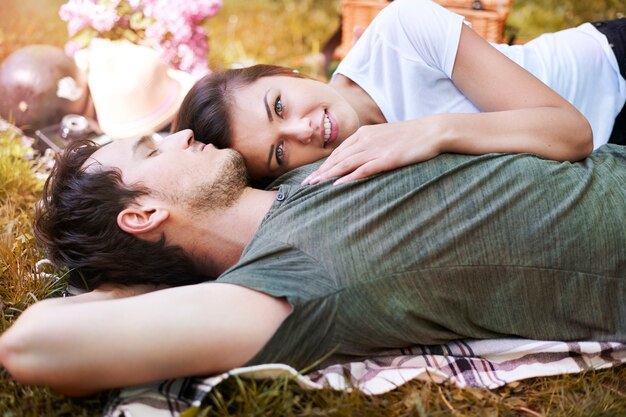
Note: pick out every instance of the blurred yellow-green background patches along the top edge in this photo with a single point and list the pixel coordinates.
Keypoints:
(287, 32)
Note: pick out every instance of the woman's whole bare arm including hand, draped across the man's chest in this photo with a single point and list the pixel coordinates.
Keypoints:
(518, 114)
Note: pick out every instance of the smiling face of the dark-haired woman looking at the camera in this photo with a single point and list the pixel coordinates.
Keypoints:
(280, 123)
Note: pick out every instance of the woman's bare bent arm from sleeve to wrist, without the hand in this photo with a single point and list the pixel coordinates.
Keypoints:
(520, 113)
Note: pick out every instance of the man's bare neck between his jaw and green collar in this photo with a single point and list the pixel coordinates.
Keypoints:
(215, 239)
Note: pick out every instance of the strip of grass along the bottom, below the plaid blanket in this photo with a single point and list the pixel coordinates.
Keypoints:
(581, 395)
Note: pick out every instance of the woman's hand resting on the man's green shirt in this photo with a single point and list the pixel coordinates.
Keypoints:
(377, 148)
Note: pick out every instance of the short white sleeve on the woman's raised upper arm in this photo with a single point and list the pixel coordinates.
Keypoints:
(432, 30)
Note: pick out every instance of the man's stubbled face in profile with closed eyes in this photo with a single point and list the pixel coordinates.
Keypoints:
(177, 169)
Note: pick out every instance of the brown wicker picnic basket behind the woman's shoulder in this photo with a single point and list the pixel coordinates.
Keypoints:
(486, 16)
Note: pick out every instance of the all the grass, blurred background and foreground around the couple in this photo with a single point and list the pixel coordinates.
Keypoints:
(291, 33)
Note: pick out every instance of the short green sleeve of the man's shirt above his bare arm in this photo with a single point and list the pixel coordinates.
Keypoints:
(307, 334)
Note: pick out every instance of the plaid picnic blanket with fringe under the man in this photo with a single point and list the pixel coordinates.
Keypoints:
(478, 363)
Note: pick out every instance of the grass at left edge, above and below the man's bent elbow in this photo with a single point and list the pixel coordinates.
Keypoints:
(21, 284)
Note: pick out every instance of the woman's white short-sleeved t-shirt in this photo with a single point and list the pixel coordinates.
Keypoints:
(405, 57)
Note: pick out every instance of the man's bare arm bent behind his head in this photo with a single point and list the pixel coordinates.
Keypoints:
(79, 346)
